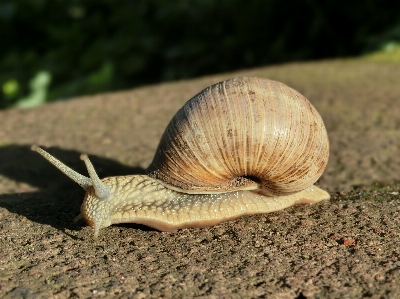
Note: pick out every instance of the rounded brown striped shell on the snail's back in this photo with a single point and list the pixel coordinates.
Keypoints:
(243, 133)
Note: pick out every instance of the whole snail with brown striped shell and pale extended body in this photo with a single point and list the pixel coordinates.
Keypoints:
(239, 147)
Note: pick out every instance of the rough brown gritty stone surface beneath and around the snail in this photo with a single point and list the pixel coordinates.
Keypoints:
(345, 248)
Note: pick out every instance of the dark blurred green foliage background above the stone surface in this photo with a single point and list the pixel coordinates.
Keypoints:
(57, 49)
